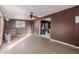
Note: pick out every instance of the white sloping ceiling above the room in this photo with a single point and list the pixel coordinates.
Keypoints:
(23, 11)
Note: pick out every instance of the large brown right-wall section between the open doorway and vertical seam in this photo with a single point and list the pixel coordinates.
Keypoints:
(62, 26)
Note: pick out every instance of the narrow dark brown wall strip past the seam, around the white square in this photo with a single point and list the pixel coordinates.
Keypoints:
(76, 26)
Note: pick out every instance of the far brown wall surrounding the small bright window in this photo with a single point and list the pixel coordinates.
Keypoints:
(19, 31)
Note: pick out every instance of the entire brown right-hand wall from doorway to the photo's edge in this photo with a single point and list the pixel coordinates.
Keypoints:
(63, 26)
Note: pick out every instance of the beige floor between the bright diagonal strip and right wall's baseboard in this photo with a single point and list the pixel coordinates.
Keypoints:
(35, 44)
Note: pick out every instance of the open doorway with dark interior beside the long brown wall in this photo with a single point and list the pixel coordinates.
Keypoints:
(45, 27)
